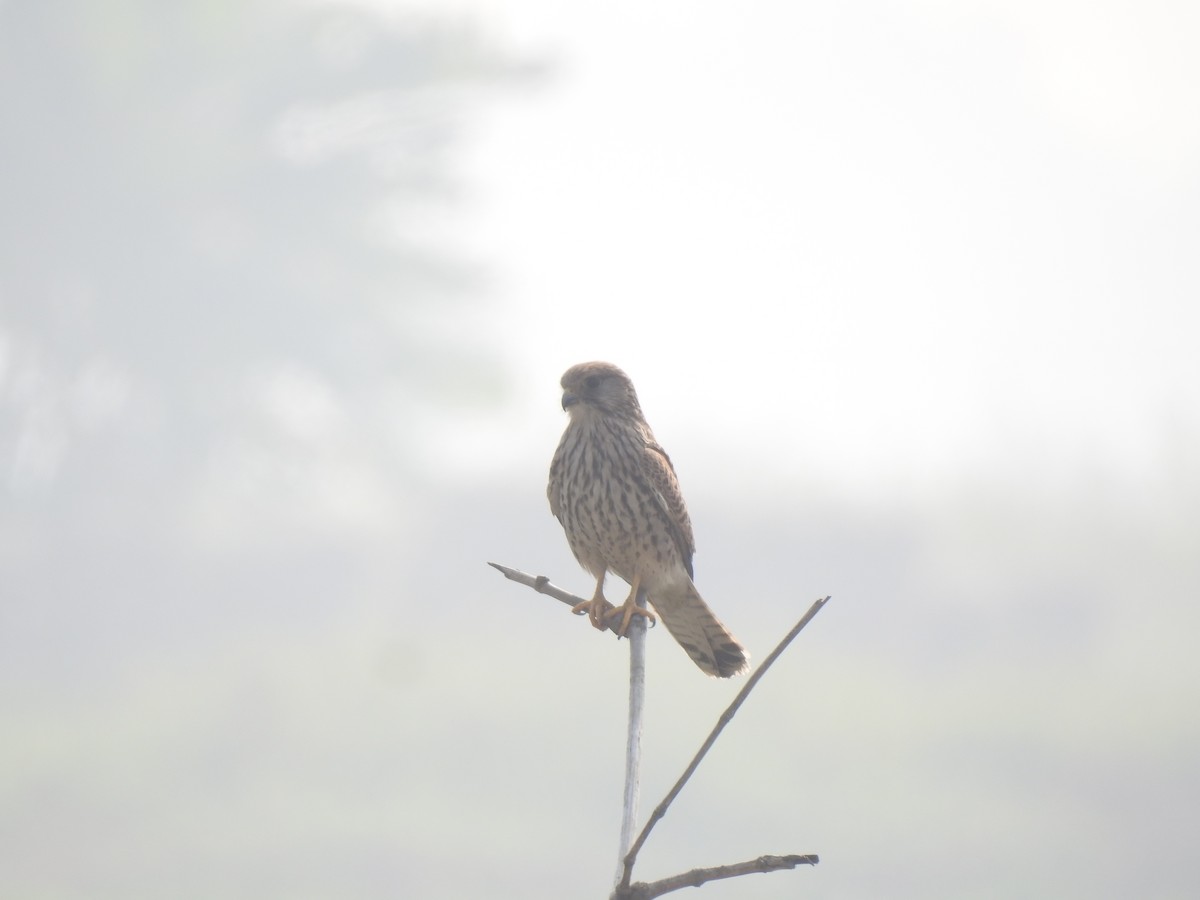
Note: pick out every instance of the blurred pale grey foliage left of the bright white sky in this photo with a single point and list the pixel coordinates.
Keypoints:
(201, 195)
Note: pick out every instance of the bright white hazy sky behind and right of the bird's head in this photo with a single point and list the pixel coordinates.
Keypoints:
(967, 227)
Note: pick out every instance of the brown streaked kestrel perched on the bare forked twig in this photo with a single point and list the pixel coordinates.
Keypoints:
(615, 491)
